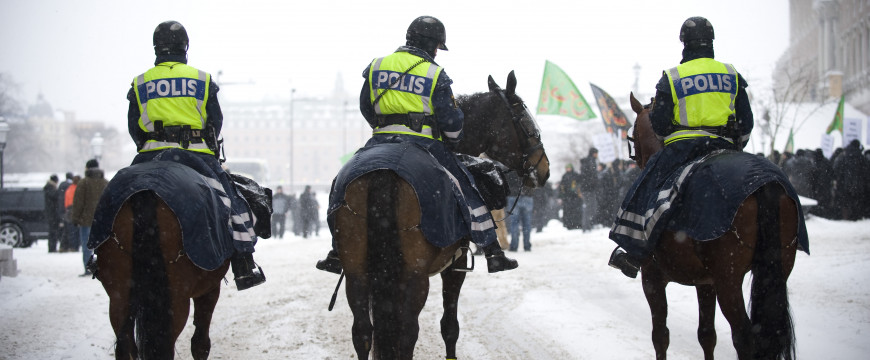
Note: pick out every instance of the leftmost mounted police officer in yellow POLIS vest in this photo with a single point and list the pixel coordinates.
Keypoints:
(174, 107)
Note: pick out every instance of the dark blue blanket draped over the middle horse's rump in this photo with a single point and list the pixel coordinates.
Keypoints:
(444, 218)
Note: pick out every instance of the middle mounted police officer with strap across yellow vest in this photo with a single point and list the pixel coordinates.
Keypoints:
(406, 97)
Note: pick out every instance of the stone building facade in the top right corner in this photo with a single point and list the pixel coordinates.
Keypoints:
(828, 54)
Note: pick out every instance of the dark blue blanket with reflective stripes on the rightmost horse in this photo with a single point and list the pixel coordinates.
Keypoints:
(700, 199)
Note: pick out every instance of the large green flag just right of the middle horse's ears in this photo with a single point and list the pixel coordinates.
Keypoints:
(559, 95)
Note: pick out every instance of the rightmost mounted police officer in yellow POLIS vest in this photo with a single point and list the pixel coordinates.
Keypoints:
(700, 106)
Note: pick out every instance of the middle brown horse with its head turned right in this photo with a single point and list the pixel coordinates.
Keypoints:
(385, 256)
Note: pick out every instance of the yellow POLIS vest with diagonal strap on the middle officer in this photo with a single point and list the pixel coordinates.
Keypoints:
(409, 94)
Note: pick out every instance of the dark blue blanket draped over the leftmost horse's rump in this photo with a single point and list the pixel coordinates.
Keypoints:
(204, 219)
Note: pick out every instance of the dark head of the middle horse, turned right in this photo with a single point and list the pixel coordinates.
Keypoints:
(515, 138)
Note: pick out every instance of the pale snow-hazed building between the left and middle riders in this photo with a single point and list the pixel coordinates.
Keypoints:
(303, 140)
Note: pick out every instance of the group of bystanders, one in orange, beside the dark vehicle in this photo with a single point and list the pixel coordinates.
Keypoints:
(69, 210)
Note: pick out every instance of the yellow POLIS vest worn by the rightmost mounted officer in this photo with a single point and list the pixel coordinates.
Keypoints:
(703, 91)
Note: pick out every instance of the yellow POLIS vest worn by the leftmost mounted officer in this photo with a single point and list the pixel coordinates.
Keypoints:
(175, 94)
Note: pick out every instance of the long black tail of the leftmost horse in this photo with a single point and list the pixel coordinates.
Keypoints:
(150, 302)
